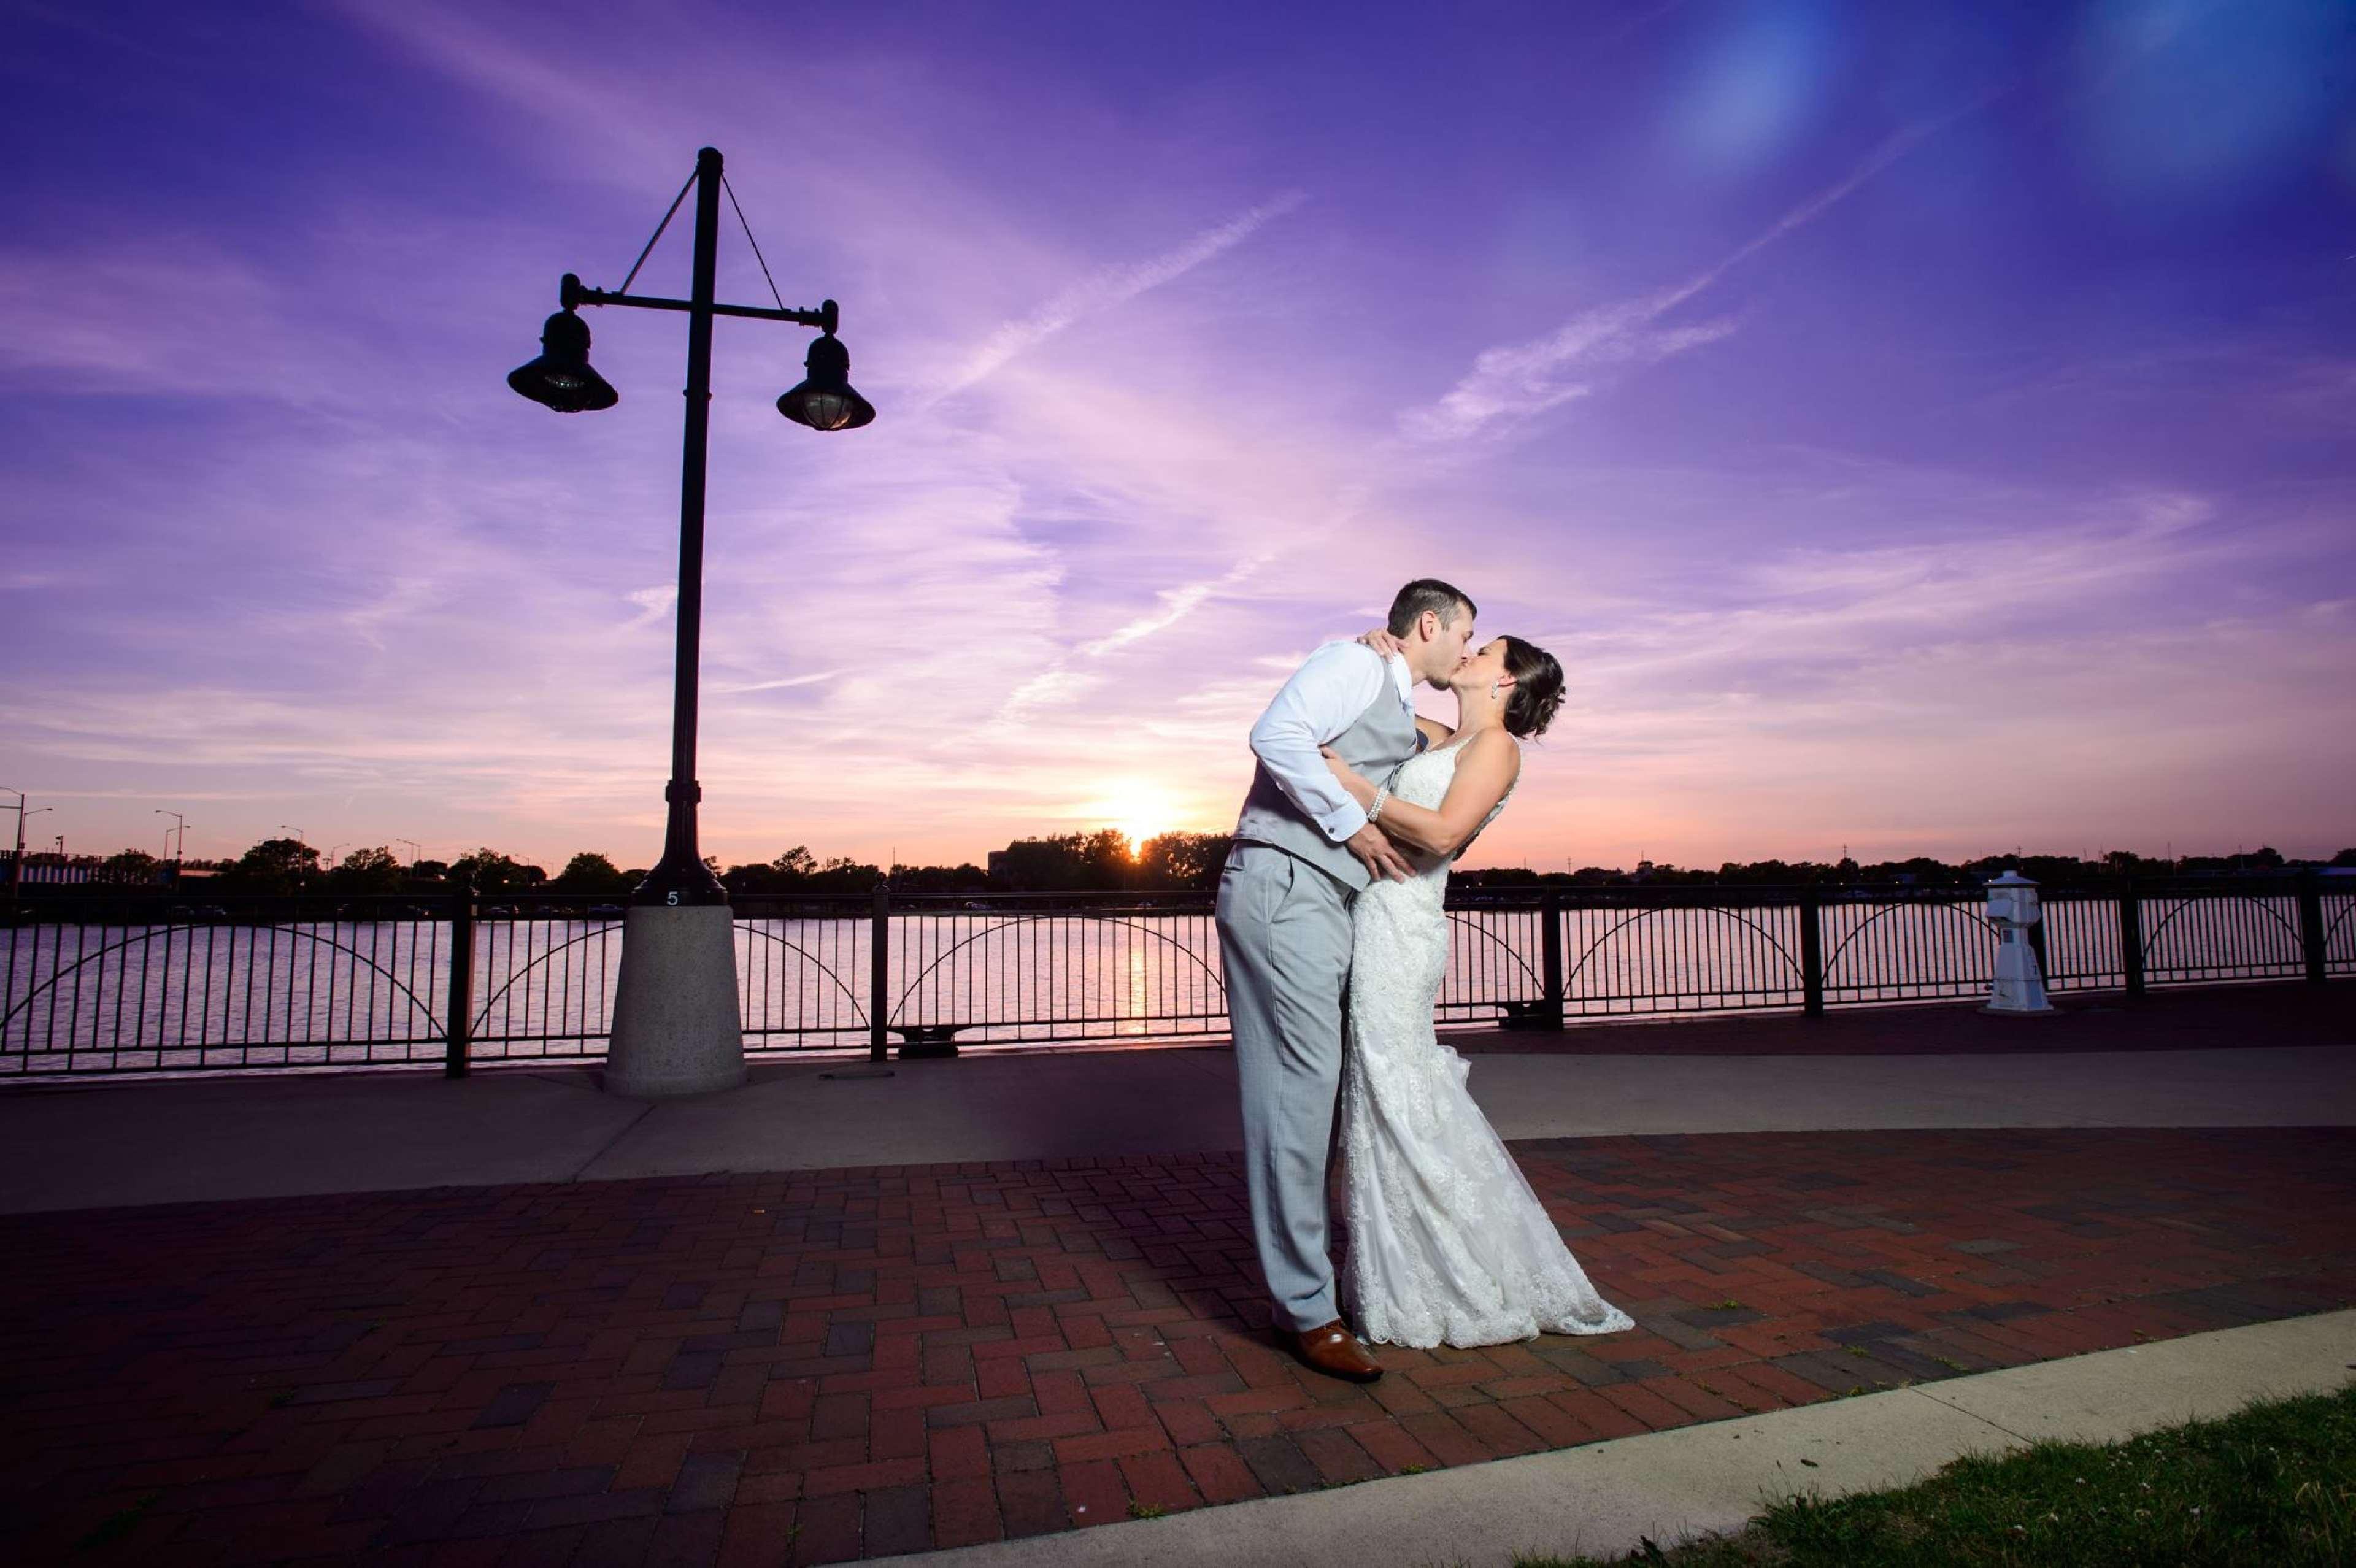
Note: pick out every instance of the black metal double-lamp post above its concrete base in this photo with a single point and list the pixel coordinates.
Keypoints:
(564, 380)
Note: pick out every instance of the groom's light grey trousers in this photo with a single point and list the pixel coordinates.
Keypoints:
(1285, 943)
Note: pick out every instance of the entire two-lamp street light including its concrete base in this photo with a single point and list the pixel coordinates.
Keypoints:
(675, 1014)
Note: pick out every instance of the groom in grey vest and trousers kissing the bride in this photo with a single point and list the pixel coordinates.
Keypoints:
(1304, 851)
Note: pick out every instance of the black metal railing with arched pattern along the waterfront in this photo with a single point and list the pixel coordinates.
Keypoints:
(124, 981)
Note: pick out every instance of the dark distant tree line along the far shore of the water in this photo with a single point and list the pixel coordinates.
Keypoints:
(1099, 863)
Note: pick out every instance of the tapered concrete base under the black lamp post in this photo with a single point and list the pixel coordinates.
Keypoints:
(675, 1009)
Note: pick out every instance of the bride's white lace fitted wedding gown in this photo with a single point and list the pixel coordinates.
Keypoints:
(1448, 1242)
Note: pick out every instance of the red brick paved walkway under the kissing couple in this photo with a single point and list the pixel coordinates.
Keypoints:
(776, 1369)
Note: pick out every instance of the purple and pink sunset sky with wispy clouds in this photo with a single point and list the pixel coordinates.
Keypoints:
(1917, 427)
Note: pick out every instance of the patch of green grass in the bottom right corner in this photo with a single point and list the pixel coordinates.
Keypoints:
(2272, 1487)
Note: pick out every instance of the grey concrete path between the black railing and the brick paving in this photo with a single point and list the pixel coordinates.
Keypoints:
(107, 1145)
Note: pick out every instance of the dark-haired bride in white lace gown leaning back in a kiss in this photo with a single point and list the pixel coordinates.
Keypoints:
(1448, 1242)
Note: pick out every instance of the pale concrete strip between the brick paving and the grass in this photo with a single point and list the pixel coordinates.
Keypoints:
(1672, 1487)
